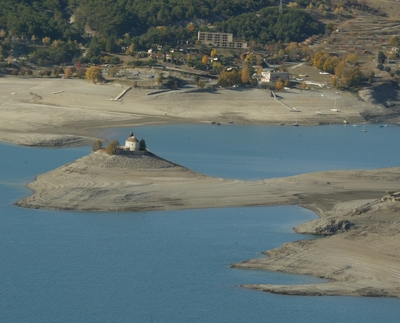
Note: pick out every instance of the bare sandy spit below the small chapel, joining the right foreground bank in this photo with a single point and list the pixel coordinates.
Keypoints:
(360, 257)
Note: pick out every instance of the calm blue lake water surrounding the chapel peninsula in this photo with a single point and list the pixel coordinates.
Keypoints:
(59, 266)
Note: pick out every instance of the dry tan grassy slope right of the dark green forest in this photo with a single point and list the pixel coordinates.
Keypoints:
(363, 32)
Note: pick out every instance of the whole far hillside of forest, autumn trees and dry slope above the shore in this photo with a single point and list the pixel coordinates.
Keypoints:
(356, 41)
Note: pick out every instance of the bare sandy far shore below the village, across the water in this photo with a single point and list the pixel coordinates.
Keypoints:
(62, 112)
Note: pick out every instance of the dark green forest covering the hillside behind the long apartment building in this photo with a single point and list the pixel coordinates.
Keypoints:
(64, 31)
